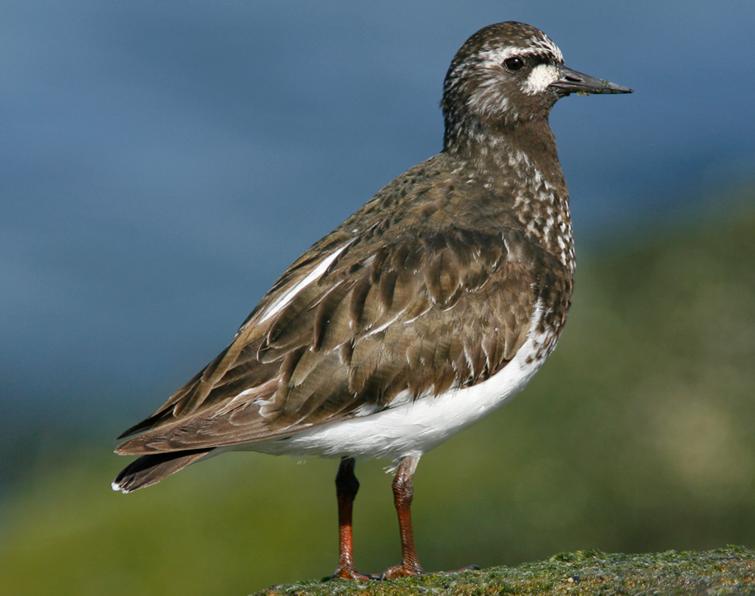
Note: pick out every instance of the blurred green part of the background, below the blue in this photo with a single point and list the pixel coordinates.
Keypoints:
(636, 436)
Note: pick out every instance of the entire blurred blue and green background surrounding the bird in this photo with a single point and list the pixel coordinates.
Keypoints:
(162, 162)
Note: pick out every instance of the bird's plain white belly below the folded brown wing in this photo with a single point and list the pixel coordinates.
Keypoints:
(417, 426)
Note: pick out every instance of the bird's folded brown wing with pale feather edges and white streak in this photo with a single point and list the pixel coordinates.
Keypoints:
(371, 327)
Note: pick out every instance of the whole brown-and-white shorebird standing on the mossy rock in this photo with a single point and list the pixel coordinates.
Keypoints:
(422, 312)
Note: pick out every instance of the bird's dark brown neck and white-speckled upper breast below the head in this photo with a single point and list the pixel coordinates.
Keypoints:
(518, 164)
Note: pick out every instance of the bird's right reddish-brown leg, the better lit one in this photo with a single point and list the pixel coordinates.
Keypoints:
(403, 492)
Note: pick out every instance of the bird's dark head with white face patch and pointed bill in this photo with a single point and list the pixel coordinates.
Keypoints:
(511, 72)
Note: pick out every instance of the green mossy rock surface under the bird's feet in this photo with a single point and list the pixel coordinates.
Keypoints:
(729, 570)
